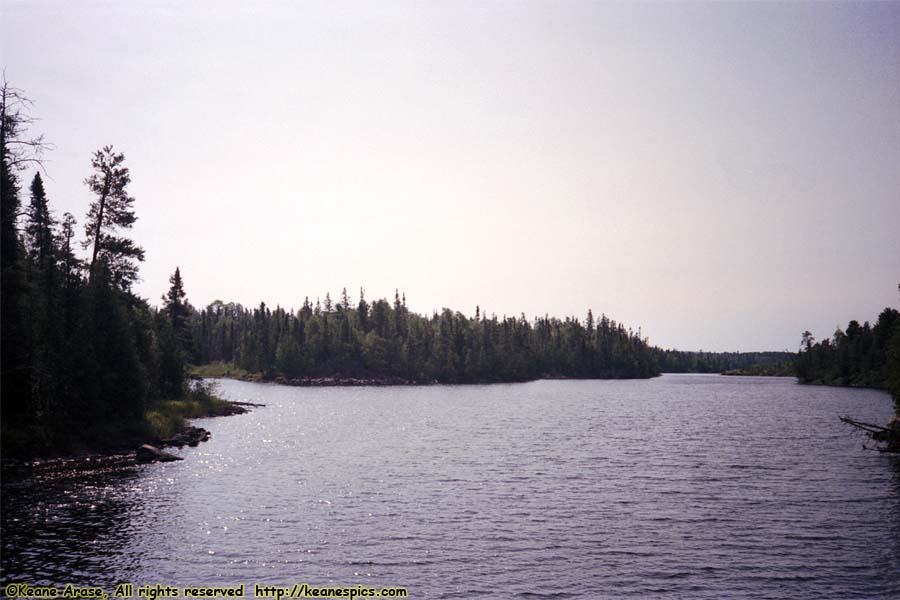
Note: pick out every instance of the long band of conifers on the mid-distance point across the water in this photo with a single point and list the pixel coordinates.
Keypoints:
(384, 339)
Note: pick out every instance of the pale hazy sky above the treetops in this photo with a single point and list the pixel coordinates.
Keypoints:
(722, 176)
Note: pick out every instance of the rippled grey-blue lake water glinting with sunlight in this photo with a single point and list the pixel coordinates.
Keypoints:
(684, 486)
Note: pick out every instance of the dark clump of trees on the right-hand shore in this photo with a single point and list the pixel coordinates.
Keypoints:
(862, 355)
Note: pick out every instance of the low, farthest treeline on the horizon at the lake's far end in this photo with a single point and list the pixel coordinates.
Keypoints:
(677, 361)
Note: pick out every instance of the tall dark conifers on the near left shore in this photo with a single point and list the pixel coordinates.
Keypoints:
(81, 355)
